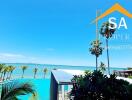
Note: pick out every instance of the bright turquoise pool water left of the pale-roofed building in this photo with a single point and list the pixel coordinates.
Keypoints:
(42, 87)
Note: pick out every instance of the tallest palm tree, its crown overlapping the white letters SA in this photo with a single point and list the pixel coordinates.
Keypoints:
(107, 32)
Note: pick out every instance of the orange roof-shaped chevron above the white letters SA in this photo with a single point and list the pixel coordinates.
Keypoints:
(116, 7)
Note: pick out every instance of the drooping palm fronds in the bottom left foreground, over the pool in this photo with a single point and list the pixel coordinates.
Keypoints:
(11, 90)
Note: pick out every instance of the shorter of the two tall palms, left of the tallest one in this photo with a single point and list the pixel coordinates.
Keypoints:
(96, 50)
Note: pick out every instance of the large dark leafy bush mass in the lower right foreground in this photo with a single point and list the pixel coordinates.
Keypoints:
(96, 86)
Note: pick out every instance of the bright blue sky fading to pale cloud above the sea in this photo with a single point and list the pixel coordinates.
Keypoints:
(60, 32)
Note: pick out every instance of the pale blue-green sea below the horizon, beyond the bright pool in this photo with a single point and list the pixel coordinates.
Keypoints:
(40, 74)
